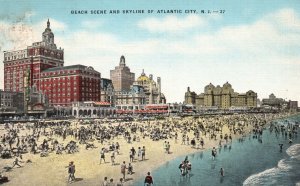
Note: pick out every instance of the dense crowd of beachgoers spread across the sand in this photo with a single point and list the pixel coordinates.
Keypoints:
(69, 137)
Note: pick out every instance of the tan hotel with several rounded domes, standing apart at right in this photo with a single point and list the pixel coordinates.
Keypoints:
(217, 97)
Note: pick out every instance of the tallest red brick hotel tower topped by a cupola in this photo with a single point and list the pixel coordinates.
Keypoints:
(38, 57)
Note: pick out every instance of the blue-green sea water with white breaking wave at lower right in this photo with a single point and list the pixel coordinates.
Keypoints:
(245, 162)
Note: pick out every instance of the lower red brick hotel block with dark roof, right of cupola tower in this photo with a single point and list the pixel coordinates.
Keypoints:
(64, 85)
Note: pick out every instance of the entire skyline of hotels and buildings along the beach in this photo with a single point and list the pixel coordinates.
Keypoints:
(39, 72)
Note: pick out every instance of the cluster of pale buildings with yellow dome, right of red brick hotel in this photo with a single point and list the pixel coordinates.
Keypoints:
(127, 94)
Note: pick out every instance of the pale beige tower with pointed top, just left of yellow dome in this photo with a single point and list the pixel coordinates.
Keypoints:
(121, 76)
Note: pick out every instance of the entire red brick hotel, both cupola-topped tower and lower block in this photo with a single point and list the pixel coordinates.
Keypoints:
(42, 66)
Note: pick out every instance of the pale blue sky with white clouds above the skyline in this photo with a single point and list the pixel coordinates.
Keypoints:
(254, 45)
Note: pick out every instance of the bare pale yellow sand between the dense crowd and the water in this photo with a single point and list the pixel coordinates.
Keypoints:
(52, 170)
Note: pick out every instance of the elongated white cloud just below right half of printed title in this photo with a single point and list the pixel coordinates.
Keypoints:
(171, 24)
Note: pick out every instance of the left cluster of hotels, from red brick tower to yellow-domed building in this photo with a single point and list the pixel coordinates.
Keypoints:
(41, 68)
